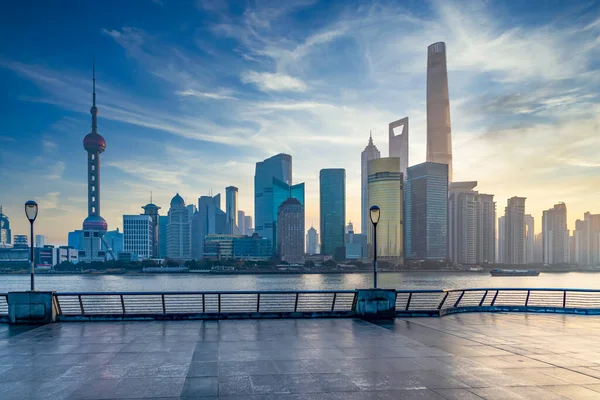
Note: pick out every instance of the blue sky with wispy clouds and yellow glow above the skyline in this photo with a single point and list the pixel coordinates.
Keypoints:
(191, 94)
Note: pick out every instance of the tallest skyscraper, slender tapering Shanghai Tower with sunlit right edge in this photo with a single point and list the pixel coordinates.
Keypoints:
(439, 138)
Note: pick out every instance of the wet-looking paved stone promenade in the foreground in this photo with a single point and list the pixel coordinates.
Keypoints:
(468, 356)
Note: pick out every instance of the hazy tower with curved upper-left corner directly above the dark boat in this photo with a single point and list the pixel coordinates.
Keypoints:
(514, 231)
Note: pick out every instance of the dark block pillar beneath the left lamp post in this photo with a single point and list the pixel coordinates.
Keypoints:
(31, 307)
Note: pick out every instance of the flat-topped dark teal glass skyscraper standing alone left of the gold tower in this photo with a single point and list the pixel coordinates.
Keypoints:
(332, 196)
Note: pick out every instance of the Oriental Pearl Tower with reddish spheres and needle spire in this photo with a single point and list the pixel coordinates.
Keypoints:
(94, 226)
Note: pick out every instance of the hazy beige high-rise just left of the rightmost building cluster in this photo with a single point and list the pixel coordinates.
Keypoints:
(555, 235)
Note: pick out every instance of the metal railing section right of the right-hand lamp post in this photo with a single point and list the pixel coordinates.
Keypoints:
(441, 302)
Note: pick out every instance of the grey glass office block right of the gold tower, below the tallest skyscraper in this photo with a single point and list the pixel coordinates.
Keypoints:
(426, 220)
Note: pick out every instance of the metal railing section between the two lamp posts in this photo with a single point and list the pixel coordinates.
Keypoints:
(155, 304)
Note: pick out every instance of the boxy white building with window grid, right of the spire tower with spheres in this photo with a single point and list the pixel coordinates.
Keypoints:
(138, 235)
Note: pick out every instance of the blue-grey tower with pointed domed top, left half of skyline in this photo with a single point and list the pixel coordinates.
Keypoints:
(179, 230)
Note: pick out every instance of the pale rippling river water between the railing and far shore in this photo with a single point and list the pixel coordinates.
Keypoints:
(201, 282)
